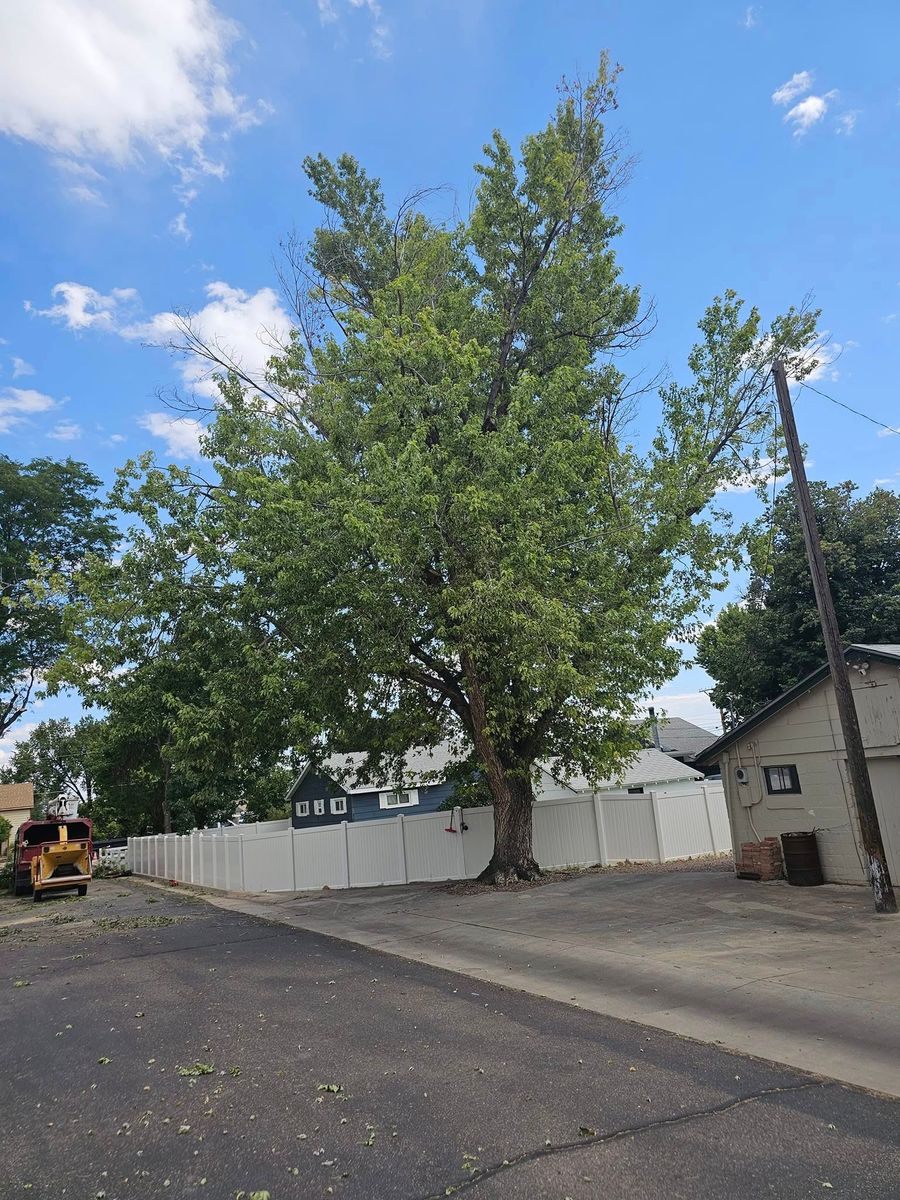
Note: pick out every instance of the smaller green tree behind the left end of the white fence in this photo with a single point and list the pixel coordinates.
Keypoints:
(190, 735)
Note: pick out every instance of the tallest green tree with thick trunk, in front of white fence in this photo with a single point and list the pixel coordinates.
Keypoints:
(433, 513)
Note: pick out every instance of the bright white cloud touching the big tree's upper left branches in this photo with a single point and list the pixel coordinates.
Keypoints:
(248, 328)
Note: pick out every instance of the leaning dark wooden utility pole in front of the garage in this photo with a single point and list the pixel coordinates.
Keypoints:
(857, 766)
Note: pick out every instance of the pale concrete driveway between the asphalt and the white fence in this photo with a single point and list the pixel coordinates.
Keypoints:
(809, 977)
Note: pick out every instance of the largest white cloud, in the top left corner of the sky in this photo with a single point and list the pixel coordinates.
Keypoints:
(116, 82)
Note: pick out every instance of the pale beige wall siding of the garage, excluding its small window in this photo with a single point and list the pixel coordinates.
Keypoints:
(807, 734)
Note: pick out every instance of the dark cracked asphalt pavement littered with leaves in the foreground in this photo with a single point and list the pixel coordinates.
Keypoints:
(154, 1046)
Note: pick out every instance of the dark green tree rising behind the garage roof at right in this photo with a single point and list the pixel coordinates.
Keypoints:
(759, 649)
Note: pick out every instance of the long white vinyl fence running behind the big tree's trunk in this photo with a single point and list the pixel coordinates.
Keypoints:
(583, 831)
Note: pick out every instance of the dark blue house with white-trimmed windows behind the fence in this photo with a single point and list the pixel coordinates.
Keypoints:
(337, 793)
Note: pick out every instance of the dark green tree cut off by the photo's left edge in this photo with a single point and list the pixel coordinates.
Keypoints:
(50, 521)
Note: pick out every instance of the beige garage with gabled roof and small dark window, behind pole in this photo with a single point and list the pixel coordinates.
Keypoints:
(785, 769)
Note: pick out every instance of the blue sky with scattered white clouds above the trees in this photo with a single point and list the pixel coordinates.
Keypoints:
(151, 153)
